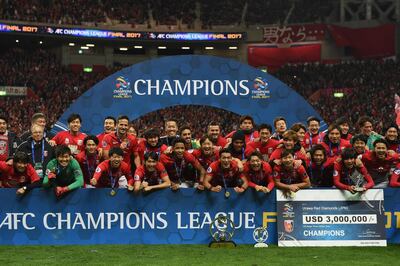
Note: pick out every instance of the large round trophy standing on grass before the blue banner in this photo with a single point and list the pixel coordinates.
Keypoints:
(222, 230)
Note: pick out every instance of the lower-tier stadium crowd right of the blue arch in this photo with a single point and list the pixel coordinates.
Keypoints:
(369, 88)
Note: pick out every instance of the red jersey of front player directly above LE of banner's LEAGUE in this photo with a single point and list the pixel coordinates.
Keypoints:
(178, 169)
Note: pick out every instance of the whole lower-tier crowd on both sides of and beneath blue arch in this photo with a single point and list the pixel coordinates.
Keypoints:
(362, 82)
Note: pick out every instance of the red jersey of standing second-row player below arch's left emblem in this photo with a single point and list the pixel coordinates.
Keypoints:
(127, 144)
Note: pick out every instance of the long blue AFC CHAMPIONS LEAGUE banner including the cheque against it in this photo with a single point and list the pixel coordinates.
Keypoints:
(91, 216)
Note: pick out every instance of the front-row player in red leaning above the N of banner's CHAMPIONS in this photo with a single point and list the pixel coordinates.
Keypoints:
(152, 175)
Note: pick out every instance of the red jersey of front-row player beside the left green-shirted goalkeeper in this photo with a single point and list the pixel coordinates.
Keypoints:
(109, 177)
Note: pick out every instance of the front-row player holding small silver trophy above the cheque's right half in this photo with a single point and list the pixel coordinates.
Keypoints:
(348, 176)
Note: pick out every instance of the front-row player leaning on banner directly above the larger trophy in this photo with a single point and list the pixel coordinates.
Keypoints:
(225, 173)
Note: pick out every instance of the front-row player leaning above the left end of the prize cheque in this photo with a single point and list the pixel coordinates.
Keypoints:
(289, 177)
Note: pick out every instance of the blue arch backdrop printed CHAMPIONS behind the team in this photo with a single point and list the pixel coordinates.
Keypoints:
(188, 80)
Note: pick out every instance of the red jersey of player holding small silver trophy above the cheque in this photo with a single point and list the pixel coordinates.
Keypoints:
(343, 178)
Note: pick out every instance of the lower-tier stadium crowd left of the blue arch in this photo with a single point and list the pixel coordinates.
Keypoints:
(43, 74)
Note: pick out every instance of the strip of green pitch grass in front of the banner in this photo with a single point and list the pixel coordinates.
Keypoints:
(196, 255)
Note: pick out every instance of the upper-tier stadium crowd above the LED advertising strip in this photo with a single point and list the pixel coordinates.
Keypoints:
(226, 12)
